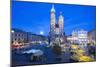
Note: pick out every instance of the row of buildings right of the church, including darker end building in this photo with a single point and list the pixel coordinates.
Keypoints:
(82, 37)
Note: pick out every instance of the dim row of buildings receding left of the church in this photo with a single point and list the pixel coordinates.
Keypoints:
(25, 37)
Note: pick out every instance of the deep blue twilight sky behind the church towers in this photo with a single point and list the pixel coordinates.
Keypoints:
(35, 16)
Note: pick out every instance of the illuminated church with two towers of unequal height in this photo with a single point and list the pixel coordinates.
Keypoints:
(56, 28)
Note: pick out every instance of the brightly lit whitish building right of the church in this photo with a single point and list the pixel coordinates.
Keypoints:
(79, 37)
